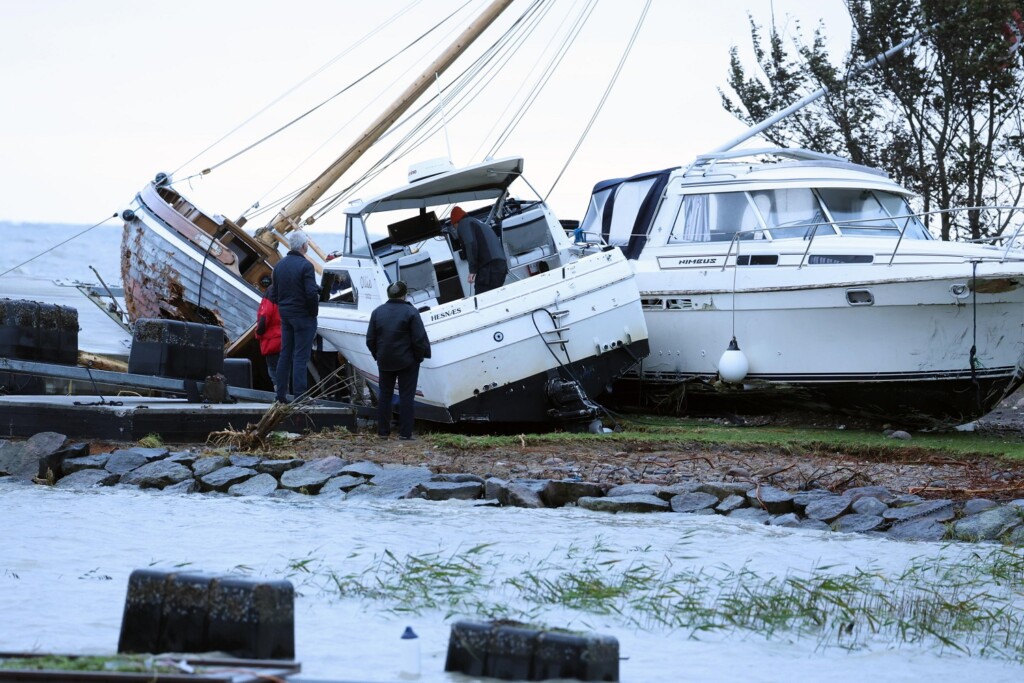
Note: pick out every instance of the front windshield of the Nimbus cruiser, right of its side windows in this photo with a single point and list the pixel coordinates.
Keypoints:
(872, 214)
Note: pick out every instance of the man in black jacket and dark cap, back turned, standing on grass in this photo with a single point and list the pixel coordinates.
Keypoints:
(399, 344)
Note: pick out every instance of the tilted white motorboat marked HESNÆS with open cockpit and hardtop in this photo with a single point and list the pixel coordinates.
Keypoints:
(541, 349)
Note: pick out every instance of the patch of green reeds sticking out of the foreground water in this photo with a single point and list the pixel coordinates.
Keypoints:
(971, 607)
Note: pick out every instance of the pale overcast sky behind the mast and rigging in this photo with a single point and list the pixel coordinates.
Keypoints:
(101, 96)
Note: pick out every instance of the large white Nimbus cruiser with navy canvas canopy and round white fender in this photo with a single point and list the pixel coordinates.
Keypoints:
(835, 291)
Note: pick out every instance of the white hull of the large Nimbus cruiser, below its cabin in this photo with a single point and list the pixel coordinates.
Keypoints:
(924, 339)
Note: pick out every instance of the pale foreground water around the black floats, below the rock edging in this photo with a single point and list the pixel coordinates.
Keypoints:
(67, 558)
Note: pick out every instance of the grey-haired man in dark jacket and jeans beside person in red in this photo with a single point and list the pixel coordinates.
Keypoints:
(298, 304)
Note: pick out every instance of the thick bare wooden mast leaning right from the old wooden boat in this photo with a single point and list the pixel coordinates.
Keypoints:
(287, 220)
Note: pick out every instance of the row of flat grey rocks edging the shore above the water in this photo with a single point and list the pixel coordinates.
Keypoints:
(49, 459)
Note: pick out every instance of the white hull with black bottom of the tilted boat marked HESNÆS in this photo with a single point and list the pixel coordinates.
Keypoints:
(500, 357)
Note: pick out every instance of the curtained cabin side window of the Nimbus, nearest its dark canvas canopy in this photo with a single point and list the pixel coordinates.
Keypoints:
(716, 218)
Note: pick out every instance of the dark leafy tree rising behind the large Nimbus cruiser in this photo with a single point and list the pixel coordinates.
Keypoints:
(944, 117)
